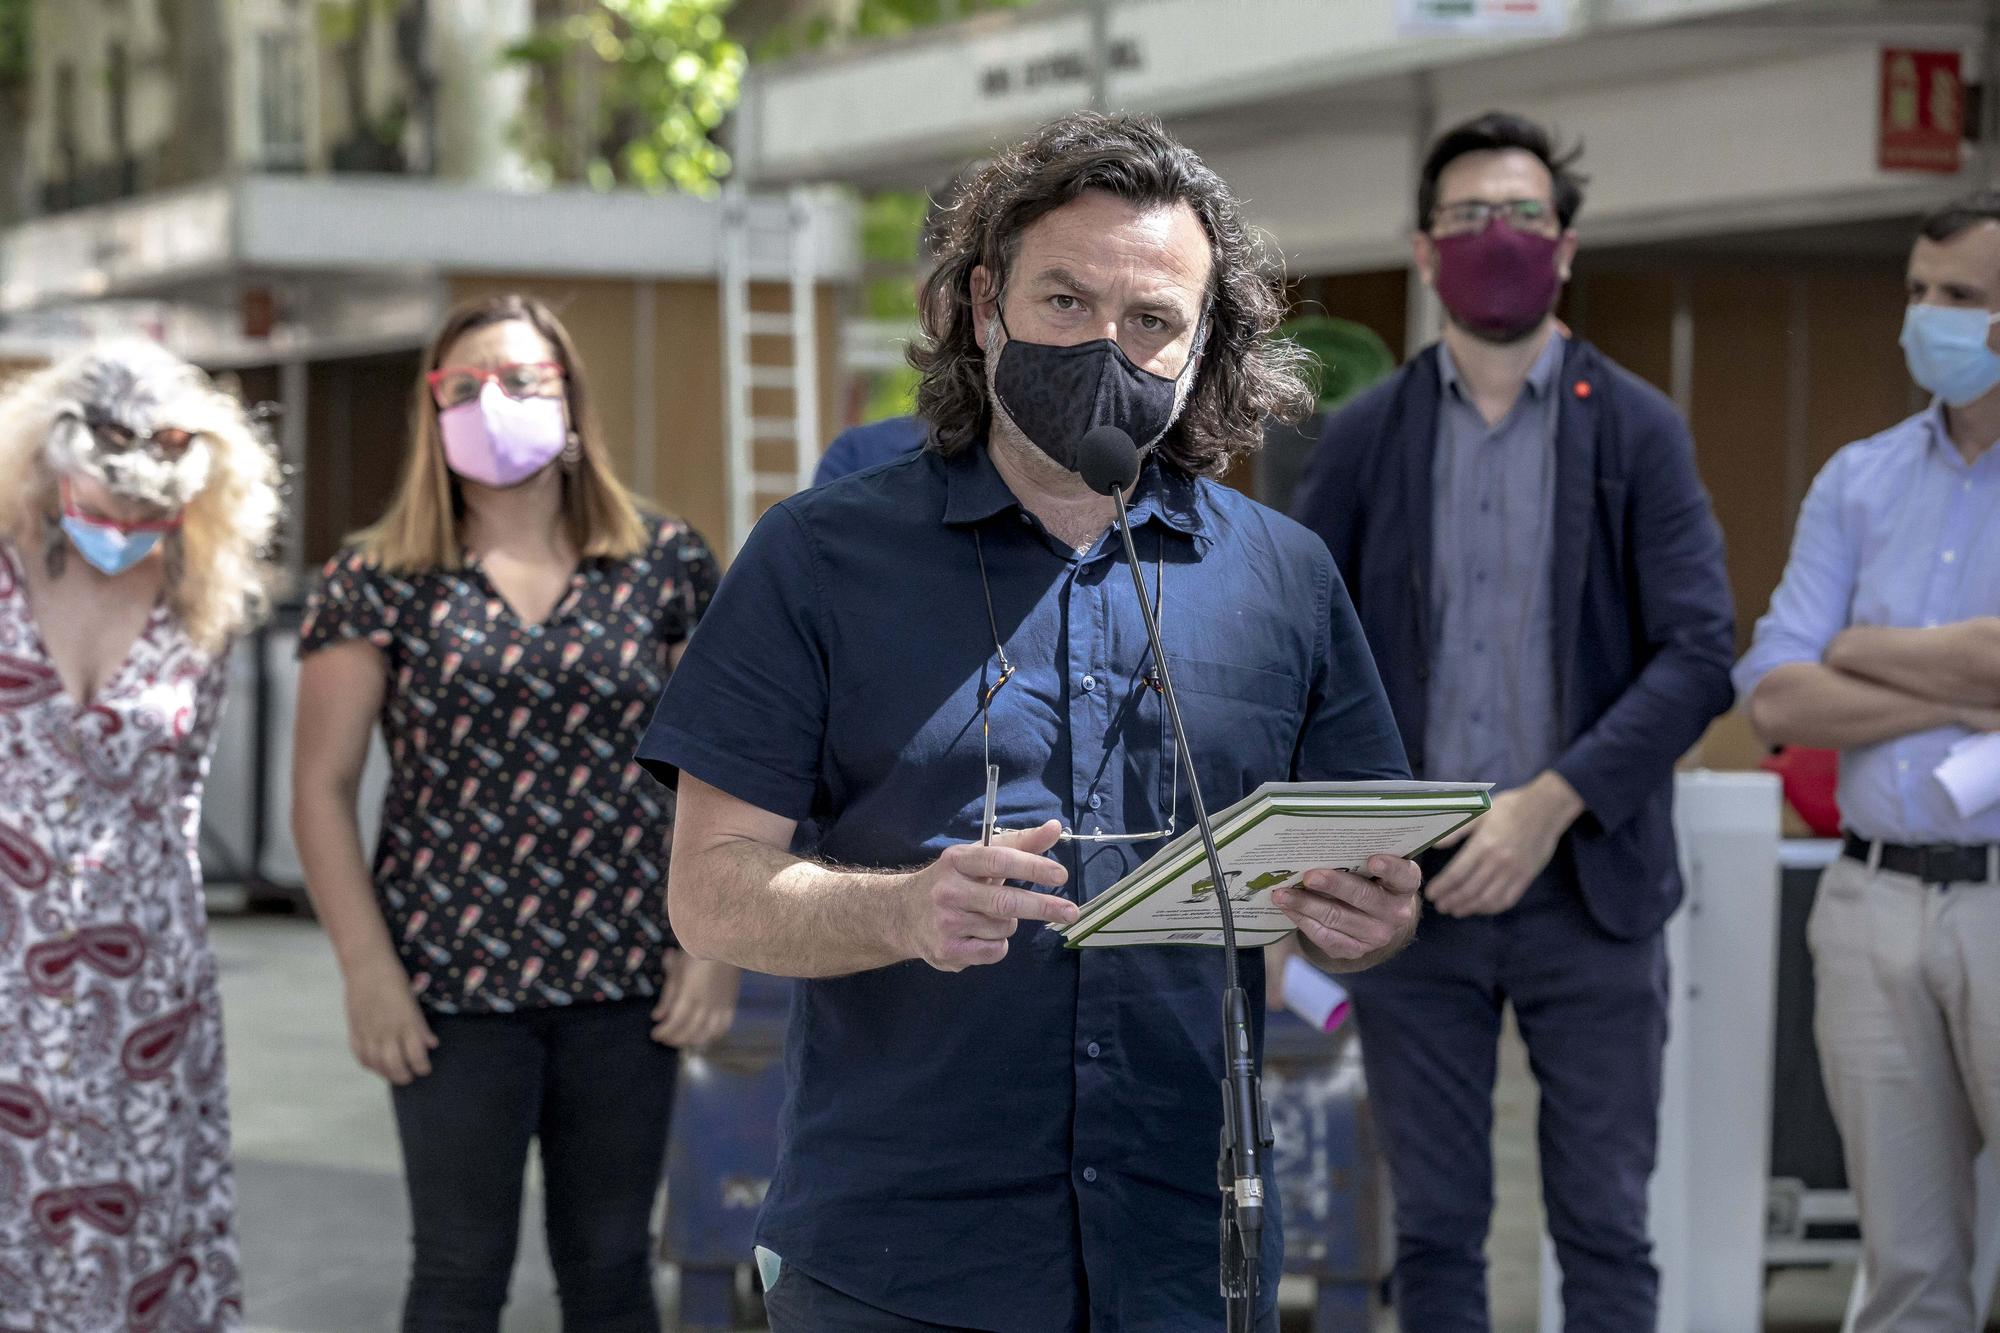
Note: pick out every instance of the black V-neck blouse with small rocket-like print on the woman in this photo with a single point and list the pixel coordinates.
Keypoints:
(523, 852)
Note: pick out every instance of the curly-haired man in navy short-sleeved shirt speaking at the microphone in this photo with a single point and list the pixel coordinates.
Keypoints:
(985, 1130)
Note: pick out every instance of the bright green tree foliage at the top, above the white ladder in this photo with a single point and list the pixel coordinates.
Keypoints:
(641, 85)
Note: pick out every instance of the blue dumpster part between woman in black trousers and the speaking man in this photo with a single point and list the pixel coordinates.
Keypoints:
(723, 1154)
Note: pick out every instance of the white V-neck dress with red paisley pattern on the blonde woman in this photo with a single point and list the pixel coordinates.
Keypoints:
(115, 1156)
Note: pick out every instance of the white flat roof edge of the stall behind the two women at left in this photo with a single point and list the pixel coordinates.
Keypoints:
(349, 263)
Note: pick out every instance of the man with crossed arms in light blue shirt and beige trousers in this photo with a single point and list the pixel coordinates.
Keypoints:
(1885, 643)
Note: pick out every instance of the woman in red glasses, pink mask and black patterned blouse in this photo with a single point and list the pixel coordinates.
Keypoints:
(507, 956)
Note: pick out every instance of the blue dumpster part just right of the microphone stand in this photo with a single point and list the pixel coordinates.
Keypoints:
(1329, 1170)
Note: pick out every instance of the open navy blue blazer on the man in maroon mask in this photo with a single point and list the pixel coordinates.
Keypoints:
(1645, 627)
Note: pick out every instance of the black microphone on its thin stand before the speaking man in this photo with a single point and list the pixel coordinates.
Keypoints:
(1107, 459)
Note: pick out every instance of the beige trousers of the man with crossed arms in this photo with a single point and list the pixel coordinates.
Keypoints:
(1909, 1022)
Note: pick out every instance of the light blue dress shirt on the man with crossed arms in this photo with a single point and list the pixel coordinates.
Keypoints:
(1895, 531)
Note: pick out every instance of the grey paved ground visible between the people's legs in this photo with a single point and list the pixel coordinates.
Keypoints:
(323, 1214)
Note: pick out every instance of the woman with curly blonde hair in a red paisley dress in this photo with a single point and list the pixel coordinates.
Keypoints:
(135, 509)
